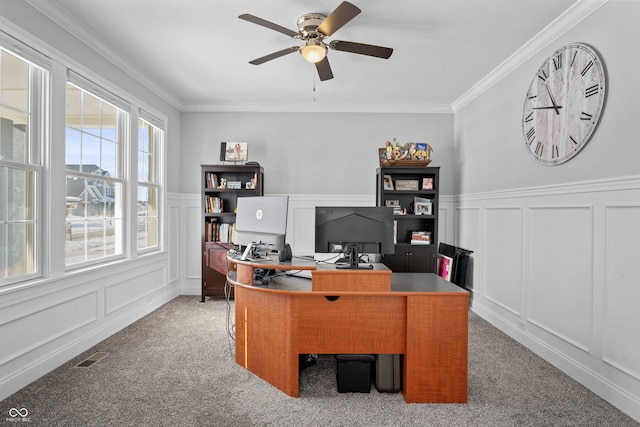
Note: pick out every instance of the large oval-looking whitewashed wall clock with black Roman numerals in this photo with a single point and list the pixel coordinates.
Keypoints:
(564, 103)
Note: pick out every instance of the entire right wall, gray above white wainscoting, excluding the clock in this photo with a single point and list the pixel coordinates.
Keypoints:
(556, 246)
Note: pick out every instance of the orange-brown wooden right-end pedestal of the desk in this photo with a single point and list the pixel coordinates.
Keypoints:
(435, 368)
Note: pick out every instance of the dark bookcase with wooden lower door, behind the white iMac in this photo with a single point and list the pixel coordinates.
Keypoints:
(221, 185)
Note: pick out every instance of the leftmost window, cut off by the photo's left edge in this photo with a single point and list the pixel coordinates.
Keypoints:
(23, 88)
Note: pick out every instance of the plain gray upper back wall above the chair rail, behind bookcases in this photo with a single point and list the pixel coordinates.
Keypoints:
(317, 153)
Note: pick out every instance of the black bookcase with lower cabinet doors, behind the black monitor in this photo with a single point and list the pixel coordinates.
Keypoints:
(413, 191)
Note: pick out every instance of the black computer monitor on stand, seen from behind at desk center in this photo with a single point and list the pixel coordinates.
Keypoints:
(353, 230)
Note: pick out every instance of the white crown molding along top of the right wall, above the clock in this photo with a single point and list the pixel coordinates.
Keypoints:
(580, 10)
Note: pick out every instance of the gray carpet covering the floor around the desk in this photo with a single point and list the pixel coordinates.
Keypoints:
(175, 367)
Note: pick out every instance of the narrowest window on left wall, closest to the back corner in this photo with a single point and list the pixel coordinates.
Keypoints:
(149, 141)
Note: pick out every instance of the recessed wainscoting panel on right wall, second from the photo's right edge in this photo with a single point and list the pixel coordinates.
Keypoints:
(560, 280)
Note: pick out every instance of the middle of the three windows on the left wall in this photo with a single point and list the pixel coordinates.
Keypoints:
(95, 134)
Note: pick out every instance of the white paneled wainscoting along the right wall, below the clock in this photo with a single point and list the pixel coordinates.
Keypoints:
(571, 253)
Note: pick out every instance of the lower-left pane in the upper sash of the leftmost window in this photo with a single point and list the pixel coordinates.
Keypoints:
(14, 141)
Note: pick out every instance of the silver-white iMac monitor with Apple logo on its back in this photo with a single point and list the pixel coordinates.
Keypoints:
(261, 224)
